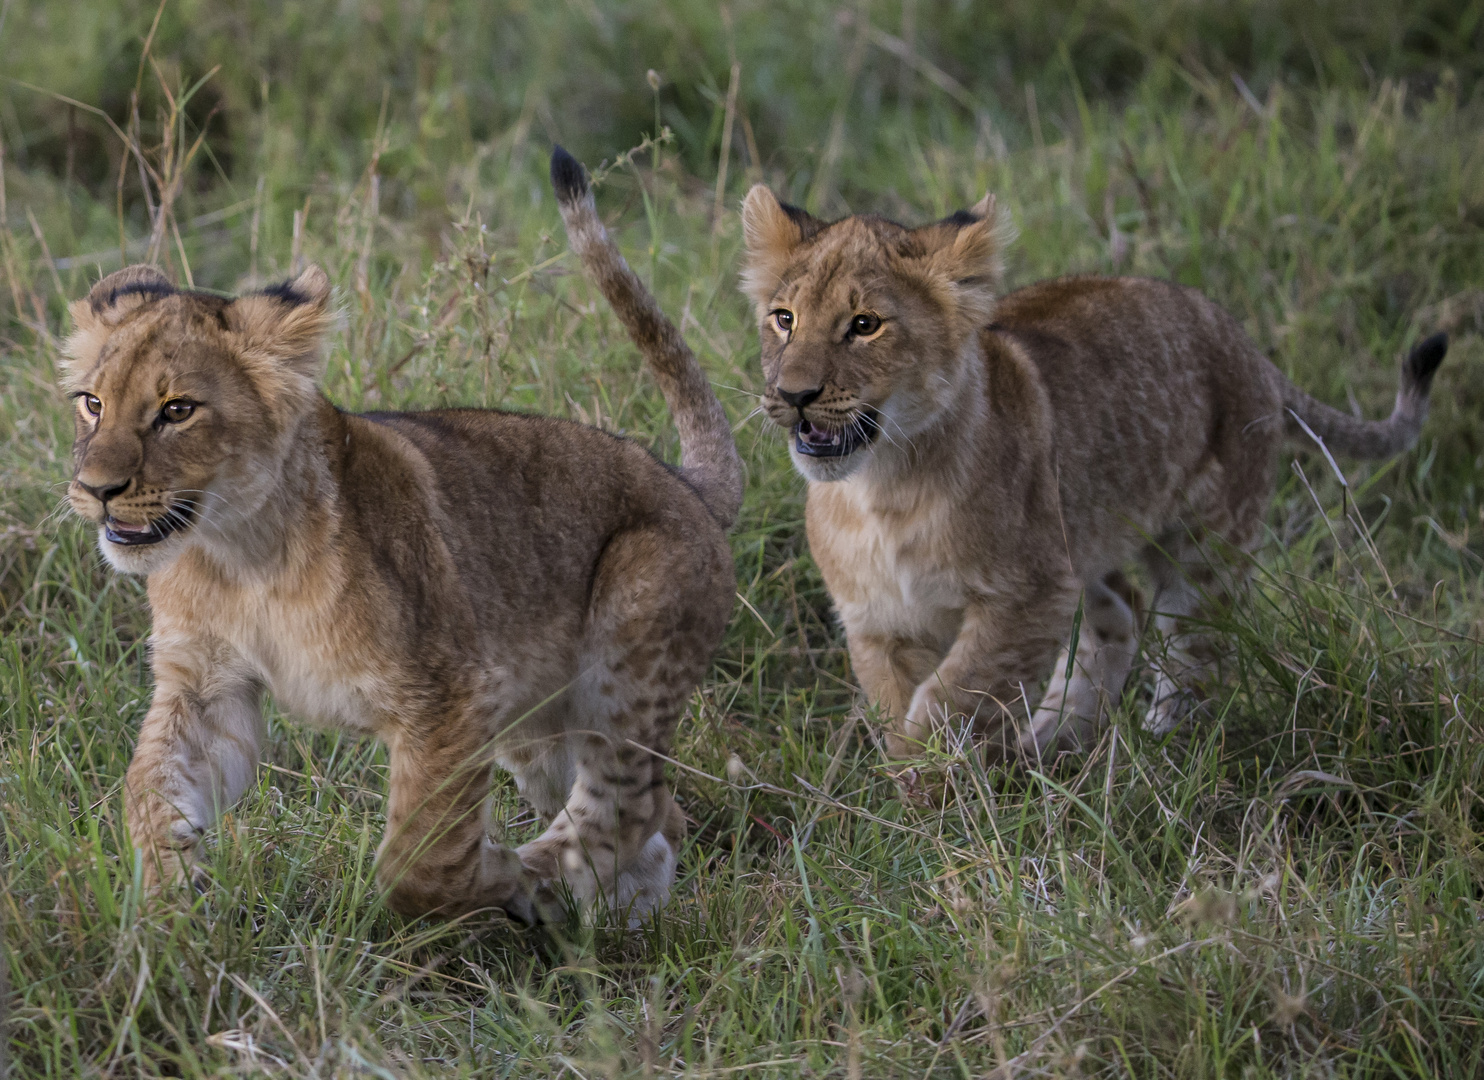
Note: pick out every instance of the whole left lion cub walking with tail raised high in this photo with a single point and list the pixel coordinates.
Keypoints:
(468, 587)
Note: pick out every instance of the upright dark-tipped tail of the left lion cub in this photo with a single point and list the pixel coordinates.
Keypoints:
(707, 453)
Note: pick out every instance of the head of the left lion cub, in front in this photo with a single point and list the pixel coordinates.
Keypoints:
(185, 406)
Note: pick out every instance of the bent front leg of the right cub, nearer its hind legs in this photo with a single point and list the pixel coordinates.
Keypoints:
(1002, 652)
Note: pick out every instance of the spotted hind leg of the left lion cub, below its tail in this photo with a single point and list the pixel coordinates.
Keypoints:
(658, 613)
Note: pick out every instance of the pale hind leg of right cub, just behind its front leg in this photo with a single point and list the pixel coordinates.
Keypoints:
(1069, 713)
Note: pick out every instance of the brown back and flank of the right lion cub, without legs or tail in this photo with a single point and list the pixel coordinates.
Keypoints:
(1152, 388)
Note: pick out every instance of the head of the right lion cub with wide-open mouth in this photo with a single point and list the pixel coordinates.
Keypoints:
(864, 324)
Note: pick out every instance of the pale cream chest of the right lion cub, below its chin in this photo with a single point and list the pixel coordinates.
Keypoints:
(891, 575)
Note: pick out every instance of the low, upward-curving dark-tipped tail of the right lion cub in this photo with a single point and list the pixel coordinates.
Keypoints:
(1370, 438)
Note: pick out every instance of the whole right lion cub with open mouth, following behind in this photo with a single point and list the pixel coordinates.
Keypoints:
(980, 467)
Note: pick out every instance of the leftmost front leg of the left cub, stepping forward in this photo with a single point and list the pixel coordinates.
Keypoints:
(198, 753)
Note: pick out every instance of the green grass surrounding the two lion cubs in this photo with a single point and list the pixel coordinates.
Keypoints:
(1287, 889)
